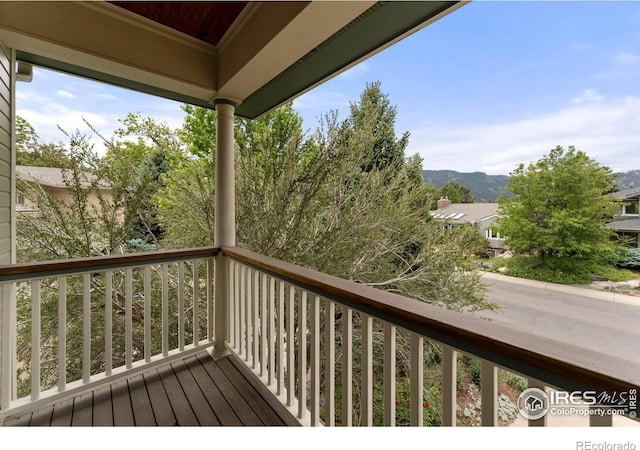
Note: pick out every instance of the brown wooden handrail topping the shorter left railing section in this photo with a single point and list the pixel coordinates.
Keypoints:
(25, 271)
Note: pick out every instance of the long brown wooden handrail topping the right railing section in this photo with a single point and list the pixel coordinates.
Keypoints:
(557, 363)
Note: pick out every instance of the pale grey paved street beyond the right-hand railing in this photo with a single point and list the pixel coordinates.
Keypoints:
(568, 314)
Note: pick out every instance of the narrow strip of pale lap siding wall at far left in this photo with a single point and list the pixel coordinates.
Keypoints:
(6, 196)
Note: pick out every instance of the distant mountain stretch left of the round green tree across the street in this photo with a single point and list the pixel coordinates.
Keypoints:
(485, 188)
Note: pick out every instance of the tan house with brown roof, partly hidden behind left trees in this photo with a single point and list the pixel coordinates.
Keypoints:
(51, 179)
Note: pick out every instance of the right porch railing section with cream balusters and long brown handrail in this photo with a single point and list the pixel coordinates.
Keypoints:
(327, 349)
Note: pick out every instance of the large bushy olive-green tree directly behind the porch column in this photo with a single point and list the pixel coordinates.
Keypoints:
(326, 202)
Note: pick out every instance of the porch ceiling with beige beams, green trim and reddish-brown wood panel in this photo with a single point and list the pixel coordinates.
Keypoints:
(255, 54)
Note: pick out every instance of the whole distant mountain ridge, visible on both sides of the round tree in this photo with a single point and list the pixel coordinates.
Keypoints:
(486, 188)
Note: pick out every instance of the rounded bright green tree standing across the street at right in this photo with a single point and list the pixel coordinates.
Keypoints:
(559, 208)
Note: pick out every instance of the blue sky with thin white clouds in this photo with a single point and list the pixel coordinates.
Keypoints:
(492, 85)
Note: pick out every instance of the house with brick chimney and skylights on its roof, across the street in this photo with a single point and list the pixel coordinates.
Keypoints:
(482, 216)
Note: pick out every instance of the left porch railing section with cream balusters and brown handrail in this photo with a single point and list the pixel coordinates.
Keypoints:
(69, 326)
